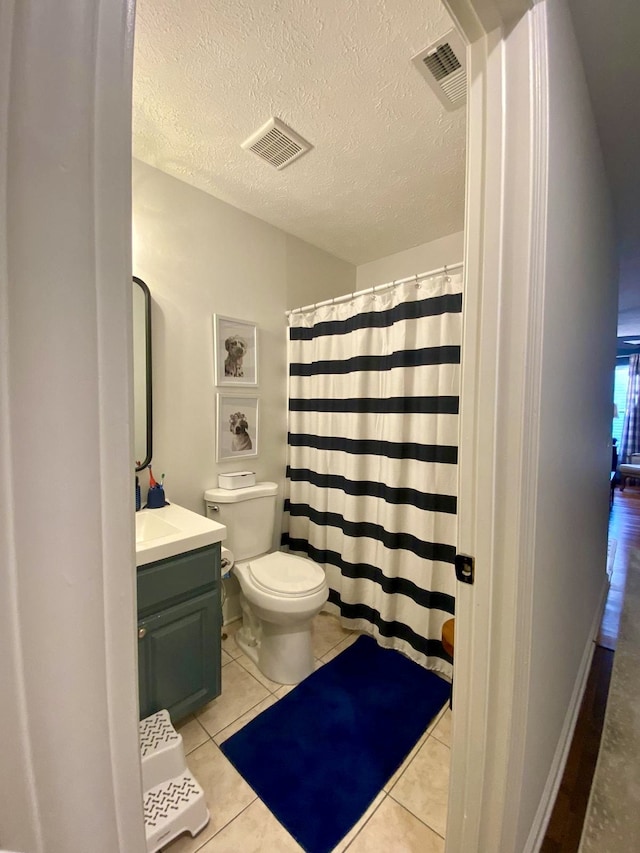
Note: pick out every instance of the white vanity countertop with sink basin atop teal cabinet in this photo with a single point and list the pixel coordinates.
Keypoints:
(172, 530)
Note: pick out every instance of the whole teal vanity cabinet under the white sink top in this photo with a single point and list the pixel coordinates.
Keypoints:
(179, 646)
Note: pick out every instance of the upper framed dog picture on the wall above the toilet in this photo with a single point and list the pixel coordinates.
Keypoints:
(235, 344)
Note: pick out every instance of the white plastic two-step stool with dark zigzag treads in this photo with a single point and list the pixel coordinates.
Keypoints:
(173, 800)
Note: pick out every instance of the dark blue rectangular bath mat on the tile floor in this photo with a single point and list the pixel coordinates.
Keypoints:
(320, 755)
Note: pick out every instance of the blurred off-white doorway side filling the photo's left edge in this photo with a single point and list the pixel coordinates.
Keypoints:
(69, 736)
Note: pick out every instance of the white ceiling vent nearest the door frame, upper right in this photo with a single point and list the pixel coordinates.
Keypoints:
(444, 66)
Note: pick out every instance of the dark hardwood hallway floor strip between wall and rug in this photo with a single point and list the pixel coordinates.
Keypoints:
(565, 827)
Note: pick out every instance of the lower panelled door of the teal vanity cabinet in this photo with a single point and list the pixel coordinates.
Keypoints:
(180, 653)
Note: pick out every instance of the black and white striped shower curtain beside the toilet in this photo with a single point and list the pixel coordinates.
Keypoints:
(372, 468)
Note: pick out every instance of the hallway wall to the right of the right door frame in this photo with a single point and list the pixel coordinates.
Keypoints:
(578, 352)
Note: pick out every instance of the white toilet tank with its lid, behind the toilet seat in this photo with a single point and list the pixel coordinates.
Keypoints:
(249, 516)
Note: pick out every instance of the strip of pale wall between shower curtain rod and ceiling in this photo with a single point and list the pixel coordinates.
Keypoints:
(428, 256)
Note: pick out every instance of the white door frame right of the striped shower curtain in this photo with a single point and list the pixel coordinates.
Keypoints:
(504, 253)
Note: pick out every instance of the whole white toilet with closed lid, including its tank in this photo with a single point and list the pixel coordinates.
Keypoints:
(281, 593)
